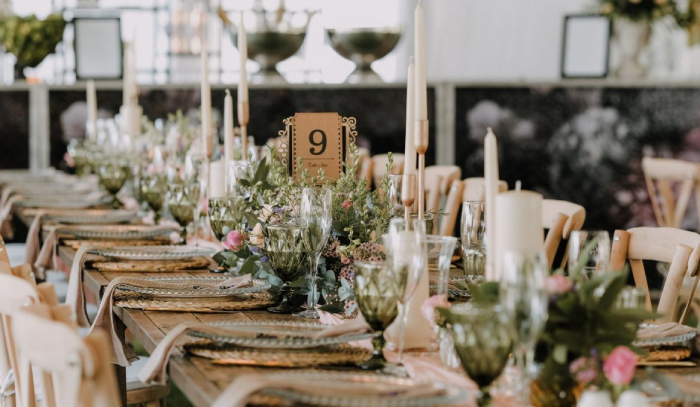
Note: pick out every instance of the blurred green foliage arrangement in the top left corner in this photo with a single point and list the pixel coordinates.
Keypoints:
(31, 39)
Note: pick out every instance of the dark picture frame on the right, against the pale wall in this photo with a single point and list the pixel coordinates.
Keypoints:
(602, 49)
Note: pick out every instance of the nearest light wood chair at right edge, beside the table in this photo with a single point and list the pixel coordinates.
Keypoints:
(678, 247)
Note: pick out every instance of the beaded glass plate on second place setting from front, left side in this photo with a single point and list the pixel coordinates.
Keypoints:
(279, 335)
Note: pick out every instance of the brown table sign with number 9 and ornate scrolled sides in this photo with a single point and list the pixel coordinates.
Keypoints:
(321, 140)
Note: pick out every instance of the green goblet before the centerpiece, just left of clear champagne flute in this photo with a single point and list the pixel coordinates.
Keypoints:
(284, 246)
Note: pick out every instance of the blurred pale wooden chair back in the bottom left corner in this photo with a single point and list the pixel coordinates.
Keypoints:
(74, 372)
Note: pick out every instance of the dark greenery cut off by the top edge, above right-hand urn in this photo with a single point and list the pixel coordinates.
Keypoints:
(638, 10)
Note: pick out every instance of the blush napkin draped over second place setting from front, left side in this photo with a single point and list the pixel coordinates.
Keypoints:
(154, 371)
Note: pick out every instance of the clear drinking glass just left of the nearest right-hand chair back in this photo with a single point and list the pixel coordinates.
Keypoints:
(595, 244)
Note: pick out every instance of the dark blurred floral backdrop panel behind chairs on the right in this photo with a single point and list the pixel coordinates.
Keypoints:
(582, 144)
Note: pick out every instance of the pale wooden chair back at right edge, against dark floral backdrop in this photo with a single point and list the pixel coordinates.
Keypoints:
(661, 176)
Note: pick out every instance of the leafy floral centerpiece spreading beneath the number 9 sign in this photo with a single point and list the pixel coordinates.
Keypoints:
(360, 216)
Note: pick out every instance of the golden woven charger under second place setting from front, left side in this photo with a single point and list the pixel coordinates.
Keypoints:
(228, 354)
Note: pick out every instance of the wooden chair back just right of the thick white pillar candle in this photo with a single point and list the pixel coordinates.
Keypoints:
(560, 218)
